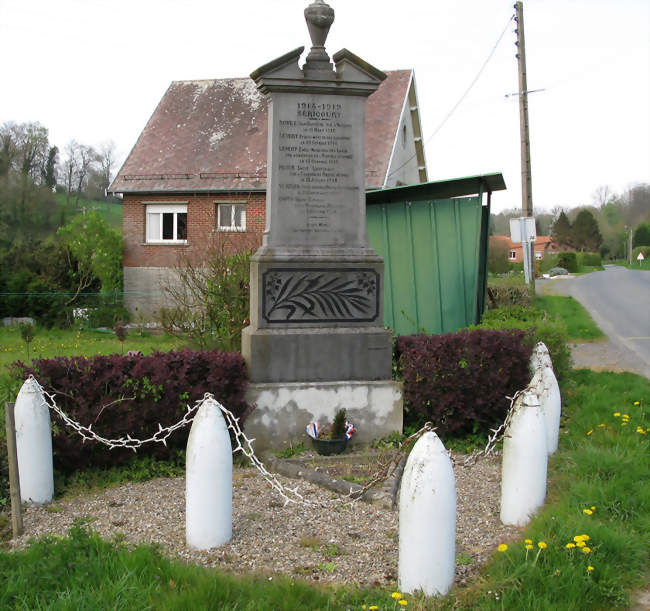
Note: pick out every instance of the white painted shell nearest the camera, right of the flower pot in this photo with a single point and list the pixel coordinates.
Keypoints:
(427, 519)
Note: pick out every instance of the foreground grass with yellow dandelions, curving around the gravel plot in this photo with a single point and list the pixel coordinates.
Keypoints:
(596, 489)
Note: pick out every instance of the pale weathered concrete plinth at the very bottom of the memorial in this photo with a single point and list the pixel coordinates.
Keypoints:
(283, 410)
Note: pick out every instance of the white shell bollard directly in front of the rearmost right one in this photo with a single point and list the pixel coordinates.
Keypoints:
(523, 468)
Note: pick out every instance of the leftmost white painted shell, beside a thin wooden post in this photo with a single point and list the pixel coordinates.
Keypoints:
(33, 445)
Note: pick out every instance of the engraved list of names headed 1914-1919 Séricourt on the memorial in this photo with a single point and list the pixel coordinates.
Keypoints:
(318, 172)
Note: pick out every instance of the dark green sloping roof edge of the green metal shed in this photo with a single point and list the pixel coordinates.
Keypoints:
(440, 189)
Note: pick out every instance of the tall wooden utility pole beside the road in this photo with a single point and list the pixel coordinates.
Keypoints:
(528, 248)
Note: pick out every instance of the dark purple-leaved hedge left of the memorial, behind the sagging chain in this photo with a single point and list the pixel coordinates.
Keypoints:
(132, 394)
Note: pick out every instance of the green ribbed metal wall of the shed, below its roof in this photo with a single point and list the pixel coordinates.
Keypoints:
(431, 257)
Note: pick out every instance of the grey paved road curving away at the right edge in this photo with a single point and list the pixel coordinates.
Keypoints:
(618, 300)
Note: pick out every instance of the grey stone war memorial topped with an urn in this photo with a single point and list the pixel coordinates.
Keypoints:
(316, 342)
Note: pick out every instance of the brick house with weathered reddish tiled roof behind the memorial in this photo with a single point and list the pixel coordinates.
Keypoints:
(197, 173)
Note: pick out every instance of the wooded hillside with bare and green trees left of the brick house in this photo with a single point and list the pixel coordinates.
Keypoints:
(51, 256)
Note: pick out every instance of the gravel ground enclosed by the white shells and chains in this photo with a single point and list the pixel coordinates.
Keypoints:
(333, 541)
